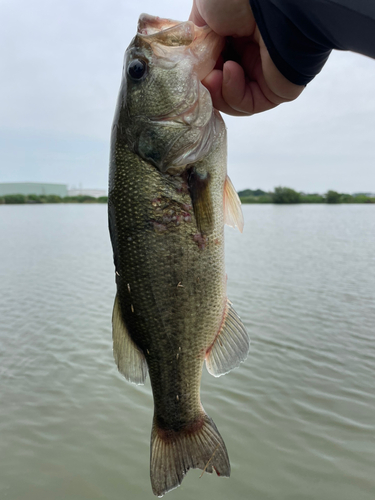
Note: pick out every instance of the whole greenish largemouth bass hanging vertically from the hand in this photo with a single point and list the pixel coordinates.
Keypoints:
(169, 196)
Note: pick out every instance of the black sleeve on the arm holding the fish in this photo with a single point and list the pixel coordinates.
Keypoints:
(300, 34)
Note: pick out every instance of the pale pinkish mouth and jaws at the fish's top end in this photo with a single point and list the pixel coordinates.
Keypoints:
(171, 40)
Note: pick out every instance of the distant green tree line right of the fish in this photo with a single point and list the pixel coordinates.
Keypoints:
(285, 195)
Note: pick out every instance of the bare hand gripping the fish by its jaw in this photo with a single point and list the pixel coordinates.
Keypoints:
(252, 84)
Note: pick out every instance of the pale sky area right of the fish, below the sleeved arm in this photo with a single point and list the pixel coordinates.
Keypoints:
(323, 140)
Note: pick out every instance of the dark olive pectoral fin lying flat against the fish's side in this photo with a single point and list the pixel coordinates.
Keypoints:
(199, 187)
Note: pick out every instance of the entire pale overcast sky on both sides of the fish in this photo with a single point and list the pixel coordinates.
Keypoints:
(60, 67)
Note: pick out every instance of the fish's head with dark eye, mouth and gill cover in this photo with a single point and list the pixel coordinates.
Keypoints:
(165, 112)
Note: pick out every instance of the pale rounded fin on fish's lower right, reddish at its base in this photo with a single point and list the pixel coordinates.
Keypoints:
(231, 345)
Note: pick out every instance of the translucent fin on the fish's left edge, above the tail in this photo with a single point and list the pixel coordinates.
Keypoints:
(130, 360)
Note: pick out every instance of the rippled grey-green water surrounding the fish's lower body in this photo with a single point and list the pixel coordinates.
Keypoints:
(298, 417)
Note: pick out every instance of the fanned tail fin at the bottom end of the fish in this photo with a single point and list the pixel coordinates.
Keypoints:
(174, 453)
